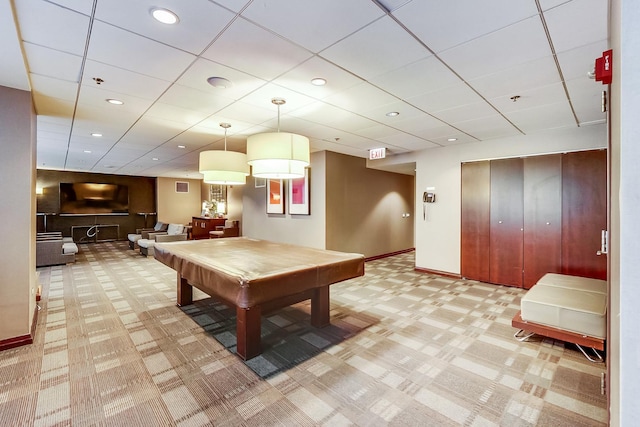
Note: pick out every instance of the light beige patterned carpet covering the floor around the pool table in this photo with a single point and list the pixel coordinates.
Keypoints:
(404, 348)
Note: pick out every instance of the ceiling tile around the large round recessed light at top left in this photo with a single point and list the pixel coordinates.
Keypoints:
(200, 21)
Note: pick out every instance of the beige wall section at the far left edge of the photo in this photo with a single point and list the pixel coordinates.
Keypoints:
(18, 213)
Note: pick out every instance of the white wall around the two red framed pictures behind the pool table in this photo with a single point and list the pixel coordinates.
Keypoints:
(303, 230)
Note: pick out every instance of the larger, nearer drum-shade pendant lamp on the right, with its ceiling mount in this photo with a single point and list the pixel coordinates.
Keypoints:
(278, 155)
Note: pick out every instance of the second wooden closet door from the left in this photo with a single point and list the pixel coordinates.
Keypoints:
(506, 227)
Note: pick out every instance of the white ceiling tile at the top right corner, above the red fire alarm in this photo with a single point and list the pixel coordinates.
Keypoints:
(588, 23)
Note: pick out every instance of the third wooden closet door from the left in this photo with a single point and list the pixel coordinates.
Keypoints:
(542, 217)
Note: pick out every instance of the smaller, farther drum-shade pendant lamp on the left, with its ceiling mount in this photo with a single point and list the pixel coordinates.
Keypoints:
(224, 167)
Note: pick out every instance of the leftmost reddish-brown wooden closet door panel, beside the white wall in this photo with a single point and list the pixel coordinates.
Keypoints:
(474, 237)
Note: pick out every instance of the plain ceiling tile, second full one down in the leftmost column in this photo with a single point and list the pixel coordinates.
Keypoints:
(53, 63)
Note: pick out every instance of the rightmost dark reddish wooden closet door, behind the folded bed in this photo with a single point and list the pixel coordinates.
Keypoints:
(584, 213)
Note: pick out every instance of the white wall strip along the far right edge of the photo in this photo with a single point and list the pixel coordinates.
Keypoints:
(624, 346)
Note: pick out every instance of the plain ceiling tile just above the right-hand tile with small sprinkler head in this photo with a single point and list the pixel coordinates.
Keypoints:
(514, 80)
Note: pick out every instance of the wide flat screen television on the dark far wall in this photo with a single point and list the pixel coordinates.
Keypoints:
(86, 198)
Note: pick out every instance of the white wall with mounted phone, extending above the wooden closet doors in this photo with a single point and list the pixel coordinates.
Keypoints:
(438, 236)
